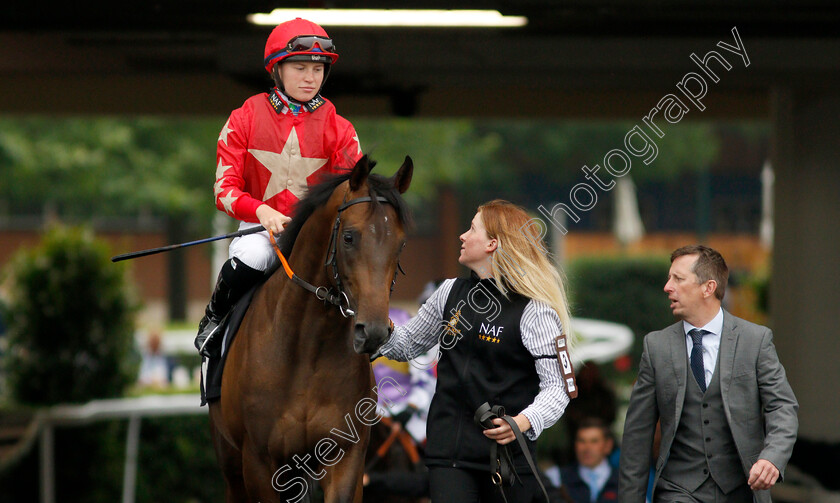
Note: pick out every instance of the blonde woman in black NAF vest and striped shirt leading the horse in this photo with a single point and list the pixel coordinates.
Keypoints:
(497, 331)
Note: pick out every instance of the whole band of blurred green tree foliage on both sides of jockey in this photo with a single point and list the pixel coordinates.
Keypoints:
(80, 168)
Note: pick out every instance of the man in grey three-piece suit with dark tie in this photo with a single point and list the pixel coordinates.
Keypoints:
(714, 382)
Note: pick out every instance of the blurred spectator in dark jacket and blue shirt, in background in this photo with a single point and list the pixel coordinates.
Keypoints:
(591, 479)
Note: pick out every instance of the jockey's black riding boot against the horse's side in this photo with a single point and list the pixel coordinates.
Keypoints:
(235, 279)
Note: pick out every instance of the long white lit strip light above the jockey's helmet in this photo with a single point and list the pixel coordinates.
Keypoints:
(393, 18)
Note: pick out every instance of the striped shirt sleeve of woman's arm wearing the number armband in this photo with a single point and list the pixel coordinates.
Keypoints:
(539, 326)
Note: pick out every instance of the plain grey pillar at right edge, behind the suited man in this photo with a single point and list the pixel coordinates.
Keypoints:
(806, 255)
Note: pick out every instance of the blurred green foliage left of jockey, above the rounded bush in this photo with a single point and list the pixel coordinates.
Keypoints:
(84, 167)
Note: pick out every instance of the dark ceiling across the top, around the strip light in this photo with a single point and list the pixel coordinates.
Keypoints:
(578, 58)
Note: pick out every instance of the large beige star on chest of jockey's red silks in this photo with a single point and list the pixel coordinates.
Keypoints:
(299, 167)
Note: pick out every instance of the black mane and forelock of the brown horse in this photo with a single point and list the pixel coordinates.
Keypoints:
(319, 194)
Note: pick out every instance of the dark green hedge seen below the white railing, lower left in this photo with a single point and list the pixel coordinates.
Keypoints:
(176, 464)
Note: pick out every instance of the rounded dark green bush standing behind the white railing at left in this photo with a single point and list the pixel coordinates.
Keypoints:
(71, 322)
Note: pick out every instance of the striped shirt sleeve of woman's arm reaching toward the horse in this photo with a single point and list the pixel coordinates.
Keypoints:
(422, 332)
